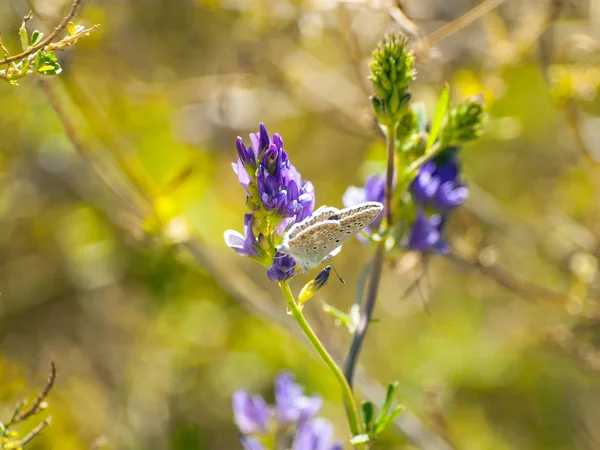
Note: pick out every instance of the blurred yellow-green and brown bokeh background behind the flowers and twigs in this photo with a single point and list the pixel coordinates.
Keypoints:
(116, 187)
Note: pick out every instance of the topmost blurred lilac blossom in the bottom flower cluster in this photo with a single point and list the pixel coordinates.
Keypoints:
(292, 405)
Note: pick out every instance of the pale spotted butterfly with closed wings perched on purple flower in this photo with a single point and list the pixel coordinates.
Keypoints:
(318, 236)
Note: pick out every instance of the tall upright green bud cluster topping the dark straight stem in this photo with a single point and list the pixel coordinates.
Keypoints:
(392, 72)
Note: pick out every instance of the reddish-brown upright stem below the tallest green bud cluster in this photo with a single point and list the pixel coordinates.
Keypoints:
(367, 309)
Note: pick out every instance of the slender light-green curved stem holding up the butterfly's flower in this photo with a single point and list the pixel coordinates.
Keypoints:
(349, 400)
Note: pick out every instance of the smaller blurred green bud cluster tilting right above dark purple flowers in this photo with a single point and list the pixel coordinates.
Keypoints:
(464, 123)
